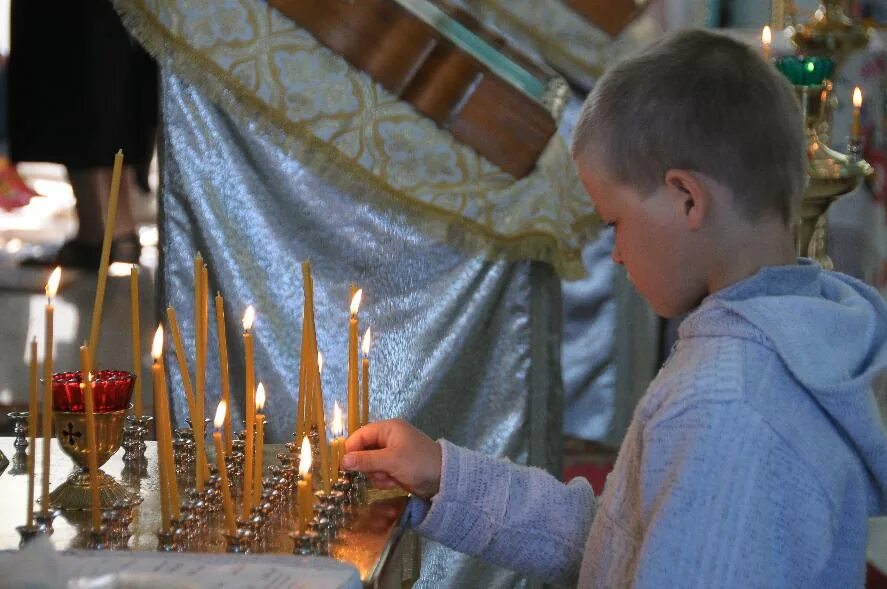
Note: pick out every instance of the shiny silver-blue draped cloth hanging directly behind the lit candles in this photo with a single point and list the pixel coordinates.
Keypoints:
(463, 348)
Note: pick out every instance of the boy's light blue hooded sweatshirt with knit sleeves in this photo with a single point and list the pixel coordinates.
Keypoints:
(753, 460)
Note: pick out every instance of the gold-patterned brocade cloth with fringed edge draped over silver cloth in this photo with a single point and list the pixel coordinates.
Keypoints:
(259, 66)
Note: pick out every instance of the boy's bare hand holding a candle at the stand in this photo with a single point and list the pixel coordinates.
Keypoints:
(393, 453)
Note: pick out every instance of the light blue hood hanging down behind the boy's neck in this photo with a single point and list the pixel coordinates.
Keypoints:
(830, 330)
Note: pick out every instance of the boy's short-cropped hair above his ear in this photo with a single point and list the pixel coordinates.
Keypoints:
(701, 101)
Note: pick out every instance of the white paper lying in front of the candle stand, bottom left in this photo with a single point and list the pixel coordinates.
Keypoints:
(38, 567)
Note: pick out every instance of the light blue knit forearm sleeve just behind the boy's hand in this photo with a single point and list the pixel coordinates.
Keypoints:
(518, 517)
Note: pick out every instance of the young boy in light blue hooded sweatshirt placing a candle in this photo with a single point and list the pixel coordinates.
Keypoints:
(757, 453)
